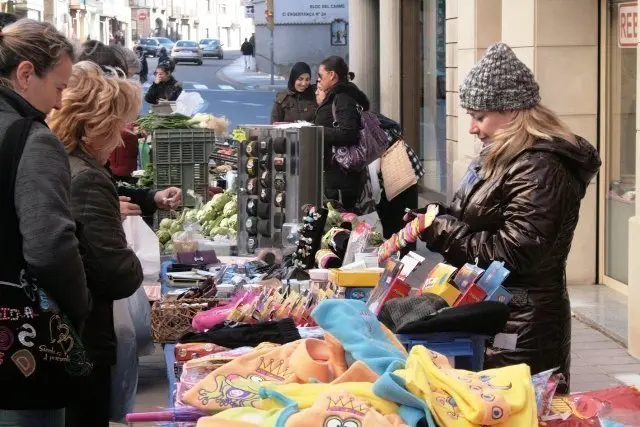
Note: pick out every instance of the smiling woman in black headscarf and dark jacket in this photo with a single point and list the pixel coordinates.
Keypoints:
(298, 102)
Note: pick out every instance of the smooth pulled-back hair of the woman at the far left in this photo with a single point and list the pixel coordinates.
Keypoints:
(37, 42)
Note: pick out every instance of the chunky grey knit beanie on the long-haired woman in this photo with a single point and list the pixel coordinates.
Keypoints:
(499, 82)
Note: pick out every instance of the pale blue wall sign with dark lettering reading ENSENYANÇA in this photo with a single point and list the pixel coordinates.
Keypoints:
(310, 11)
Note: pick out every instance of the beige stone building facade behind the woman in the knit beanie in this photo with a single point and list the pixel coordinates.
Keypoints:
(584, 55)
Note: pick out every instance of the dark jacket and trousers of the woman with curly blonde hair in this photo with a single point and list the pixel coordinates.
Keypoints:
(113, 270)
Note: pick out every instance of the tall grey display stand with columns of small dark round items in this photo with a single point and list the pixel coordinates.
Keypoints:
(279, 170)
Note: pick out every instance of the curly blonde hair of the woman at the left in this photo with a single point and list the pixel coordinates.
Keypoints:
(95, 108)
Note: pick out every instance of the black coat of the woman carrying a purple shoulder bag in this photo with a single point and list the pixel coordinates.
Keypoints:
(347, 98)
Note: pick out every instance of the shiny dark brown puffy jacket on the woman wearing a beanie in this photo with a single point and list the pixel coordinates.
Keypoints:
(525, 217)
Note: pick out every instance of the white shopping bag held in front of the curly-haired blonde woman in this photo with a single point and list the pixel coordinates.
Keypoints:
(144, 242)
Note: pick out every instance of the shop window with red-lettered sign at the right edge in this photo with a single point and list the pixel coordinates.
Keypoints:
(620, 142)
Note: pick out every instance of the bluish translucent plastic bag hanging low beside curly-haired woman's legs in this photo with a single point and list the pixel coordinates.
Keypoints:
(124, 375)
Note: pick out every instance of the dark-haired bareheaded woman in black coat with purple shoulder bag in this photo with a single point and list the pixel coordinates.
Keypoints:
(344, 98)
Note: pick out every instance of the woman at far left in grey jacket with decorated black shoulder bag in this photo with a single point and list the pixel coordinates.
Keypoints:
(41, 269)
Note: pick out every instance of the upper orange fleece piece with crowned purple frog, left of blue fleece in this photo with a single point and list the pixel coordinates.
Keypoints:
(236, 384)
